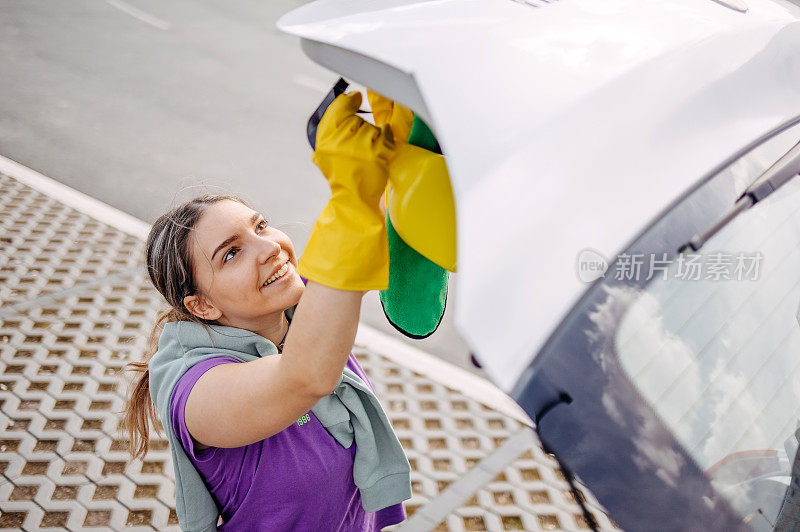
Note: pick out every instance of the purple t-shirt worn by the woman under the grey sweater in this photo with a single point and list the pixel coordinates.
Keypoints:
(298, 479)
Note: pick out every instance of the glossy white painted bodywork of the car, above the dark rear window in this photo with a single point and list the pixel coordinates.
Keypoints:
(566, 127)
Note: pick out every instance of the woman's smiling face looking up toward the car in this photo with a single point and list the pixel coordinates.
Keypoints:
(235, 253)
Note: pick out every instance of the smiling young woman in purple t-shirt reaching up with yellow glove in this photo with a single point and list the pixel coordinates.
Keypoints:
(271, 427)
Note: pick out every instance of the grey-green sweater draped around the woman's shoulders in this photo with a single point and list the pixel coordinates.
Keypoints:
(351, 414)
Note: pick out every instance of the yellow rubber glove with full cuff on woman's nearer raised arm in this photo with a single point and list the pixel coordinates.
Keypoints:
(348, 247)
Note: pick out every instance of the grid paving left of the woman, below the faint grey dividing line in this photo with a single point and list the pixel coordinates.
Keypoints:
(63, 458)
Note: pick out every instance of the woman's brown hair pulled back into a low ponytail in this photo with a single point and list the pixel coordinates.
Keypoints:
(169, 265)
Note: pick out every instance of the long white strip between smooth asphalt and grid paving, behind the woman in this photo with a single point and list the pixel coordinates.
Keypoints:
(436, 369)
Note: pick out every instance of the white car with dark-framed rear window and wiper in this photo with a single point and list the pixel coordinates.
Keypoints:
(628, 228)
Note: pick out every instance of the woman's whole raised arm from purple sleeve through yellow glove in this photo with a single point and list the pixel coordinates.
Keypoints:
(237, 404)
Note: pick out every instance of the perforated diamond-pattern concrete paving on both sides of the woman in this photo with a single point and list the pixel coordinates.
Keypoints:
(87, 310)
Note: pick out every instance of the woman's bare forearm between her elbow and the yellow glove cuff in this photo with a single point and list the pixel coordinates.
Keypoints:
(321, 336)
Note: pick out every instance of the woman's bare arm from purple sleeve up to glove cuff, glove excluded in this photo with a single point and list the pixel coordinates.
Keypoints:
(241, 403)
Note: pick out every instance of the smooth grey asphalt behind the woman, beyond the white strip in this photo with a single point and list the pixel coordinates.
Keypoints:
(144, 104)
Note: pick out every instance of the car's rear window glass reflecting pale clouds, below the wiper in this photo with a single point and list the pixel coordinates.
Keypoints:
(719, 360)
